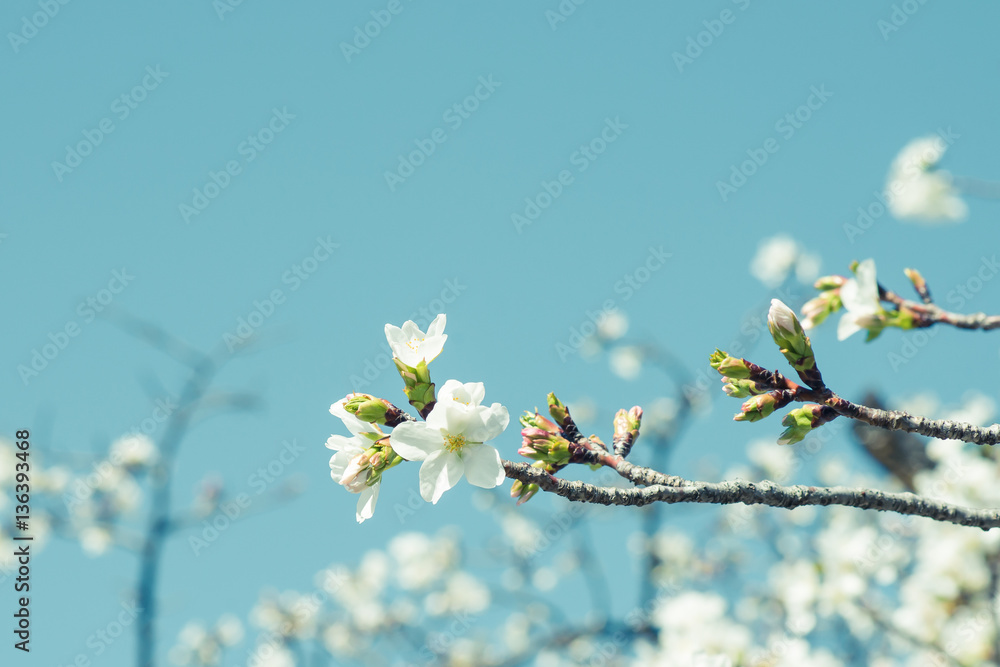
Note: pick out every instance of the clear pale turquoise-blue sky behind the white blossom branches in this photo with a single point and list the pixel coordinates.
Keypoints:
(297, 138)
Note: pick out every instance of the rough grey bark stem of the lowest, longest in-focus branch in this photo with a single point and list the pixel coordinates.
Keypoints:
(755, 493)
